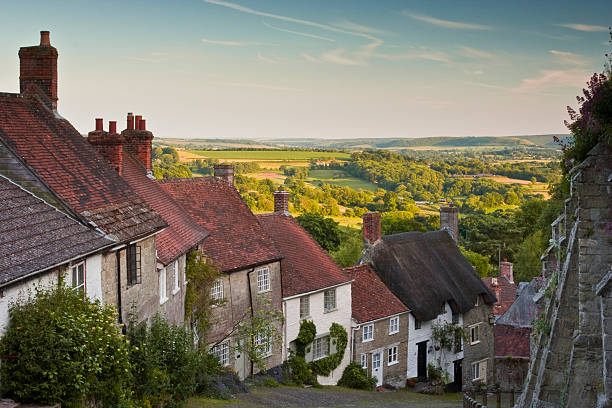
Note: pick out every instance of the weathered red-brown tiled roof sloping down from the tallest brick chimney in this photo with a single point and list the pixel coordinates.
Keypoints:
(72, 168)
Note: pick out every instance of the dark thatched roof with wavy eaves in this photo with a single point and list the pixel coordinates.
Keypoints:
(425, 269)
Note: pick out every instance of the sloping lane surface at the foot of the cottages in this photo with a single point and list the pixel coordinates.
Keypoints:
(332, 397)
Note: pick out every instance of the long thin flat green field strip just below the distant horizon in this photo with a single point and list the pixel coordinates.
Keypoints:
(263, 155)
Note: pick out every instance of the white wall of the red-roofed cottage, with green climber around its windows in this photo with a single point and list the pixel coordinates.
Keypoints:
(323, 321)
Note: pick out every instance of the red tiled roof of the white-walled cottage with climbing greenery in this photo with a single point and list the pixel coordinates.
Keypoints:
(306, 266)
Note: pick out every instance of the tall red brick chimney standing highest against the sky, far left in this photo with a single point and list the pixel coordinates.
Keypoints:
(38, 66)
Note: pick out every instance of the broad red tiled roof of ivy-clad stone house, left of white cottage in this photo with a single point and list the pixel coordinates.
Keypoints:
(236, 239)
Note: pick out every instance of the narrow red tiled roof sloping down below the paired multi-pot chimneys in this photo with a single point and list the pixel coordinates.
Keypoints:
(182, 232)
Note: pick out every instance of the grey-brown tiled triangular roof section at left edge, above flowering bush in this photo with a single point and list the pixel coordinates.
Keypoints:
(35, 236)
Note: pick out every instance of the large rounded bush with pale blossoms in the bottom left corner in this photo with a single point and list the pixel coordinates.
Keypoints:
(60, 347)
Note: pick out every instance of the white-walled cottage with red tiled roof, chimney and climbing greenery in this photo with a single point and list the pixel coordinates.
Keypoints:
(314, 287)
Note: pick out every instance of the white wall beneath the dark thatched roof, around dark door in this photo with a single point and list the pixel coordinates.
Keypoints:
(425, 333)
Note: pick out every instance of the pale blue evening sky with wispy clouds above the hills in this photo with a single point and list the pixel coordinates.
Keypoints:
(316, 68)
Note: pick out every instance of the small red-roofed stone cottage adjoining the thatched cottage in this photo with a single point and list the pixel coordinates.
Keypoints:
(379, 337)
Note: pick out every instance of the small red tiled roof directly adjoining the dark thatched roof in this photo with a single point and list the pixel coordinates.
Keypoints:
(371, 298)
